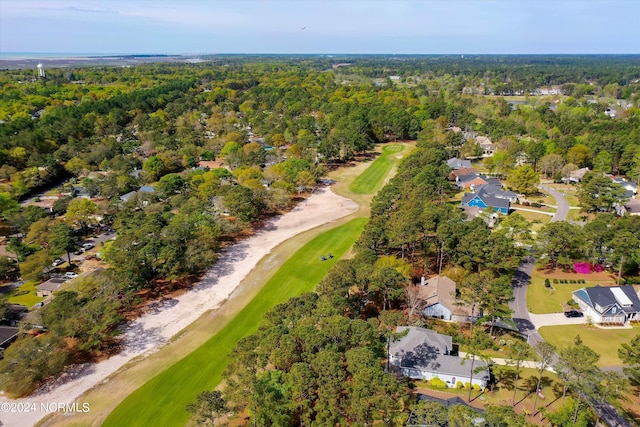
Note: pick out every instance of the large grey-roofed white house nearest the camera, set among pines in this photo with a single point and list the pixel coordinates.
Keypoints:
(425, 354)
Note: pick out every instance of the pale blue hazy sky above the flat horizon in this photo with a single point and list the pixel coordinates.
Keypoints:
(320, 27)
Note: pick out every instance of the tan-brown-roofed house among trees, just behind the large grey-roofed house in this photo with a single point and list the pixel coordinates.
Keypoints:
(439, 296)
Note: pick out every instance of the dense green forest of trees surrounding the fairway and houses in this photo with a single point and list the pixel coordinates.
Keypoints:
(230, 141)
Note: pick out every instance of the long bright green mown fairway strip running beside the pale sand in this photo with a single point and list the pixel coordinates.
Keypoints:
(162, 400)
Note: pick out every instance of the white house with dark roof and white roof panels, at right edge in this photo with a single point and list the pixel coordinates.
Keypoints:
(609, 304)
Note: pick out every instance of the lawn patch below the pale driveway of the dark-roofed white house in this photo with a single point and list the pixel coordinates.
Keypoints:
(605, 342)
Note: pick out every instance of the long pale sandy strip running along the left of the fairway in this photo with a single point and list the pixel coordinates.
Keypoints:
(148, 333)
